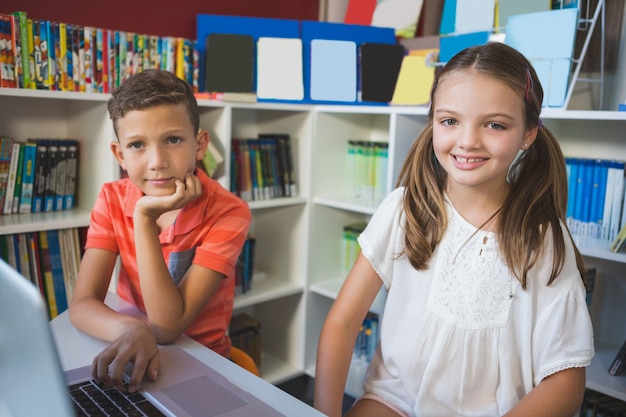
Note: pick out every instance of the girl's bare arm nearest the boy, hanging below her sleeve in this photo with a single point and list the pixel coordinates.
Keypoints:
(339, 334)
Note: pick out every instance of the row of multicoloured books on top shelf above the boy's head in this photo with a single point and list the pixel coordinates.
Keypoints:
(41, 54)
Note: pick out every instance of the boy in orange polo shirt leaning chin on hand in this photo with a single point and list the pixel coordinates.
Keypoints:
(178, 234)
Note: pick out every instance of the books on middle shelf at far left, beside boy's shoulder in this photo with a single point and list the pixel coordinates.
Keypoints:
(39, 175)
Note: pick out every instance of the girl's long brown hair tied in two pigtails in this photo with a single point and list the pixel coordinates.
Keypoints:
(537, 201)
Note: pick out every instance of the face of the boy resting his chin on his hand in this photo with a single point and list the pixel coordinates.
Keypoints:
(156, 146)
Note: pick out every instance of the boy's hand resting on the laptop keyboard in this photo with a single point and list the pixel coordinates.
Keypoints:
(136, 346)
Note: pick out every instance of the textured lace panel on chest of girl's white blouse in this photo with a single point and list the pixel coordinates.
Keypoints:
(472, 288)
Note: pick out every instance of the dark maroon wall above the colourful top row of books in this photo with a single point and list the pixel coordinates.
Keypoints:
(159, 17)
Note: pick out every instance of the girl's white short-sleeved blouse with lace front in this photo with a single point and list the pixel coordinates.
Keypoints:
(462, 337)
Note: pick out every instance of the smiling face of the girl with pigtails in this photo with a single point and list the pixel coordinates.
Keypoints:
(478, 129)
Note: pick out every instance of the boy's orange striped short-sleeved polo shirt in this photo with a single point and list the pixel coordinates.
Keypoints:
(209, 231)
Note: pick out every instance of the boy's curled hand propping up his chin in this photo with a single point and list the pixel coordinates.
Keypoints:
(154, 207)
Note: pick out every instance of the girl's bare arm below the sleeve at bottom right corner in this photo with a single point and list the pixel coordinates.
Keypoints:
(559, 395)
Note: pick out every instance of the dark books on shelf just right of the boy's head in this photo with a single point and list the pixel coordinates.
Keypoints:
(262, 168)
